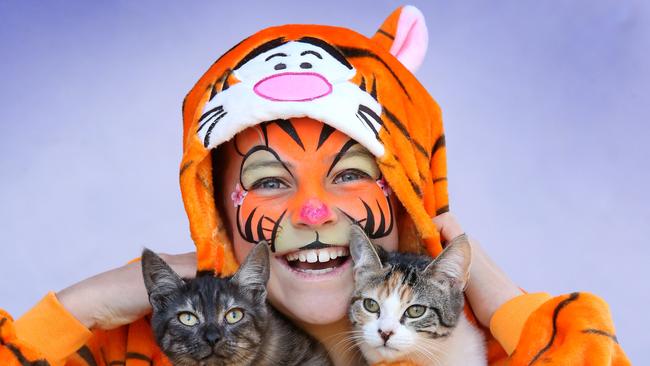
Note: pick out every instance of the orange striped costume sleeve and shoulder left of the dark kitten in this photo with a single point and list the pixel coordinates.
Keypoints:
(48, 335)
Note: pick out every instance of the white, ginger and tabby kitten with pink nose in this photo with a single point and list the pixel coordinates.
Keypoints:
(410, 307)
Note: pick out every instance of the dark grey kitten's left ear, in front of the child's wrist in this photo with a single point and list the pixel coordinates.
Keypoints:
(160, 280)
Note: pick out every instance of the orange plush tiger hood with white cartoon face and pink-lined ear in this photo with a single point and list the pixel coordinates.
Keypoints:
(362, 86)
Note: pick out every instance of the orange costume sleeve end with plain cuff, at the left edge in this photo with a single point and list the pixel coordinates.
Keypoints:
(46, 334)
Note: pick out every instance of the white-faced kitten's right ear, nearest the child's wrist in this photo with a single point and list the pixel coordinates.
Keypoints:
(454, 262)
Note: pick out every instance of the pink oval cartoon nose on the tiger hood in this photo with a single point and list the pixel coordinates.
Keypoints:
(293, 87)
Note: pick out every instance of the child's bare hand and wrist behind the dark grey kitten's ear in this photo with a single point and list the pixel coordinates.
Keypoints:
(117, 297)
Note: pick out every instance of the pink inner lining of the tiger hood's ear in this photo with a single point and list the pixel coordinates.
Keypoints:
(411, 38)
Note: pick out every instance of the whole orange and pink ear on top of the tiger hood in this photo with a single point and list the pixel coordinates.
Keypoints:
(404, 33)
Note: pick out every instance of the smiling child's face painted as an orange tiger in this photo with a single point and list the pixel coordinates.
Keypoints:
(299, 185)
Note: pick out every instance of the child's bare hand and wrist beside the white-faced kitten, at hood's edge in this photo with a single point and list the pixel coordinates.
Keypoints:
(489, 287)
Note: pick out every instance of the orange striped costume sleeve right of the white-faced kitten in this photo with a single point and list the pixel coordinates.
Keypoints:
(574, 329)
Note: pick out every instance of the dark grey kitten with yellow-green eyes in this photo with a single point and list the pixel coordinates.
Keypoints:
(210, 321)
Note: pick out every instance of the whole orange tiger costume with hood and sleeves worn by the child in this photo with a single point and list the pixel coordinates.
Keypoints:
(365, 88)
